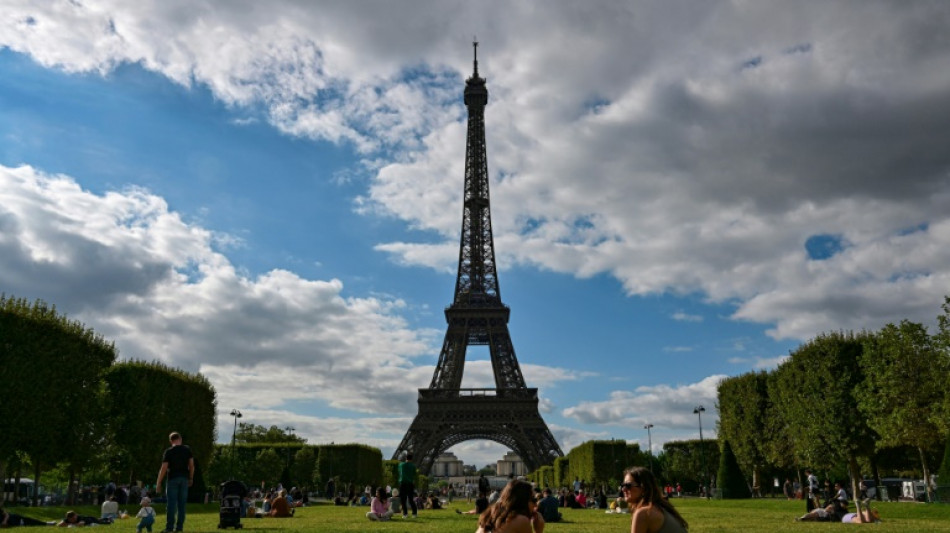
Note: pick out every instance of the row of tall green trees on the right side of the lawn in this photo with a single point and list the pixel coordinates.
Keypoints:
(844, 402)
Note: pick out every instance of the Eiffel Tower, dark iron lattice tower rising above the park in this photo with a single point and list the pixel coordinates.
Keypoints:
(507, 414)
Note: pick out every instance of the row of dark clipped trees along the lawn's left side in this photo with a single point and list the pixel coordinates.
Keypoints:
(66, 405)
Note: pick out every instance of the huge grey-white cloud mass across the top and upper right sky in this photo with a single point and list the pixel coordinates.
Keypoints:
(698, 164)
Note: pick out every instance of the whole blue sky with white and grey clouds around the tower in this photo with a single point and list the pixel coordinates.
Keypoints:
(269, 193)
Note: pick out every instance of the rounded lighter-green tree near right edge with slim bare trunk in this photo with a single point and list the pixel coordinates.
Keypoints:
(905, 383)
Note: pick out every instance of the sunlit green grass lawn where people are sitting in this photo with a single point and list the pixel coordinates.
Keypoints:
(767, 515)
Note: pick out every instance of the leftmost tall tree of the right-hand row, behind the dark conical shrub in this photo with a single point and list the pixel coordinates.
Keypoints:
(743, 404)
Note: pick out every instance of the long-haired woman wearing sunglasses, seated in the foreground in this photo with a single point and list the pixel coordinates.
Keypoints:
(652, 513)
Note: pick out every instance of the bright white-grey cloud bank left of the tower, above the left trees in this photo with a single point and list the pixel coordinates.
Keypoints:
(127, 264)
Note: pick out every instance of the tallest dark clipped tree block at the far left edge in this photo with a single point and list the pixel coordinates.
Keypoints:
(47, 356)
